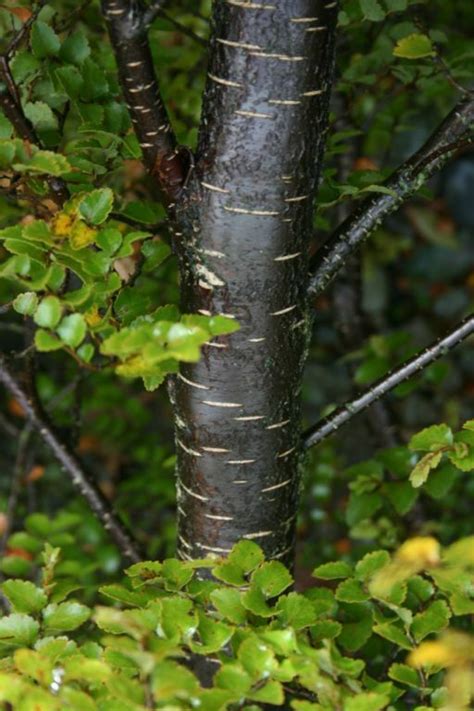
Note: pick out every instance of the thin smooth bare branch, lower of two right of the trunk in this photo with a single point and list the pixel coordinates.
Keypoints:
(346, 412)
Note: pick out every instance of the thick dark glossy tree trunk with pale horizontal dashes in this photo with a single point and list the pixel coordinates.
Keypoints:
(244, 229)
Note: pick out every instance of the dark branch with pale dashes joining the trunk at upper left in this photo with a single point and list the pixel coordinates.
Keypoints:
(127, 26)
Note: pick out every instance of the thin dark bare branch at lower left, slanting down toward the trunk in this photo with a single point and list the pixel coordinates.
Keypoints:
(70, 463)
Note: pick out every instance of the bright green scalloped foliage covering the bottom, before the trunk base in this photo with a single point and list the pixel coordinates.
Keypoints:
(307, 649)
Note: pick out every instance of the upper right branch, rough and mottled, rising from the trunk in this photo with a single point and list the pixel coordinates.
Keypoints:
(403, 183)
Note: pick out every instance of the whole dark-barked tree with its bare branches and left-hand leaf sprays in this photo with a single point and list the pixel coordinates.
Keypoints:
(240, 210)
